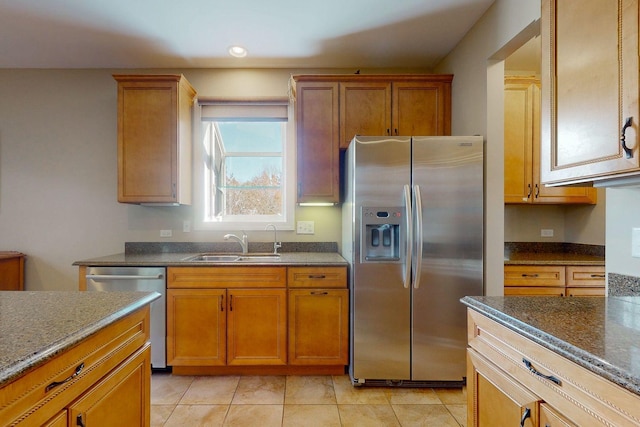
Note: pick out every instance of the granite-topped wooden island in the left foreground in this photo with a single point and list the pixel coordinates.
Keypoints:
(63, 354)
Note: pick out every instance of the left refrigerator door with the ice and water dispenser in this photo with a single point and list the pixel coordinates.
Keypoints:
(380, 322)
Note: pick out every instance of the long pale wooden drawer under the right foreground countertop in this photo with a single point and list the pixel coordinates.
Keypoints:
(580, 395)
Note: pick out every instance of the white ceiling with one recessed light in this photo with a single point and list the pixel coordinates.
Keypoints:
(197, 33)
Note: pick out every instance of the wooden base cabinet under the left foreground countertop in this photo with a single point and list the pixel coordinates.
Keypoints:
(103, 381)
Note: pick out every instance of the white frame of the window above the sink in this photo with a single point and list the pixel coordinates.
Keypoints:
(226, 108)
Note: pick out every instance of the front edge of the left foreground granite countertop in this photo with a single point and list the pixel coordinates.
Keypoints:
(35, 360)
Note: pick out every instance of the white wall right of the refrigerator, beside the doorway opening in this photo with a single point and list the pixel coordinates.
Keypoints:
(477, 107)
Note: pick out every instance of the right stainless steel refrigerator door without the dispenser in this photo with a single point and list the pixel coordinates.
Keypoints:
(449, 174)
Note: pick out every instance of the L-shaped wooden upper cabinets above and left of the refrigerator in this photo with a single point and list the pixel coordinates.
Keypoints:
(332, 109)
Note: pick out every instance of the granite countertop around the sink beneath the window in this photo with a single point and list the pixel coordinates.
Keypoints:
(181, 259)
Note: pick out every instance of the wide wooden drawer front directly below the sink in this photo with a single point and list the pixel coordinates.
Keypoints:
(226, 277)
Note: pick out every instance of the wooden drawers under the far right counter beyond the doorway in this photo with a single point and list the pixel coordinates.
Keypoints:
(558, 280)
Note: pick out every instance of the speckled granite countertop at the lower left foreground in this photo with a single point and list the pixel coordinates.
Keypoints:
(36, 326)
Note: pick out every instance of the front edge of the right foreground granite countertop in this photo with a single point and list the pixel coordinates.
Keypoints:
(550, 342)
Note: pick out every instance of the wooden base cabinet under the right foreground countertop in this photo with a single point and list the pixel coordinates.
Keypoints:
(512, 381)
